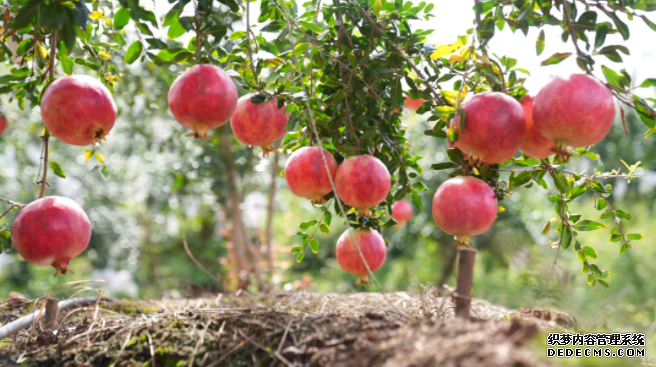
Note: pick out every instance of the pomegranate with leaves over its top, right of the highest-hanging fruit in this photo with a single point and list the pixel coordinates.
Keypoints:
(259, 123)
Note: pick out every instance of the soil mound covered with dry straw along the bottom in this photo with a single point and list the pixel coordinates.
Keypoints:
(282, 329)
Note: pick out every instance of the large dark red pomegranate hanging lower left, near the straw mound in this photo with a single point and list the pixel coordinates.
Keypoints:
(51, 231)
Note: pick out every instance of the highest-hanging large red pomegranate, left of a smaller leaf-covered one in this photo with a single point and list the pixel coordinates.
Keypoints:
(203, 98)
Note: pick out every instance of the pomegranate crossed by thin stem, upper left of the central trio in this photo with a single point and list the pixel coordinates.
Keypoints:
(306, 176)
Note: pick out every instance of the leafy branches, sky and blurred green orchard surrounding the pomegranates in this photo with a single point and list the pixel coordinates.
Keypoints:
(155, 195)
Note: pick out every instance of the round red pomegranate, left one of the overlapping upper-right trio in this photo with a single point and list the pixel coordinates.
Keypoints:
(495, 126)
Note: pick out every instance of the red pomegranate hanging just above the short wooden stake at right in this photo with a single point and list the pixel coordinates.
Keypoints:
(464, 206)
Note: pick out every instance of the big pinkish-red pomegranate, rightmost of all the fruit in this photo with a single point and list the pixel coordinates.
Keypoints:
(577, 111)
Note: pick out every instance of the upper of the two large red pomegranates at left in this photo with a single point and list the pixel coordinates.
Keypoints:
(78, 110)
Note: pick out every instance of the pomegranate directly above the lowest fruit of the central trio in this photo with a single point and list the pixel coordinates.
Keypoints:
(362, 182)
